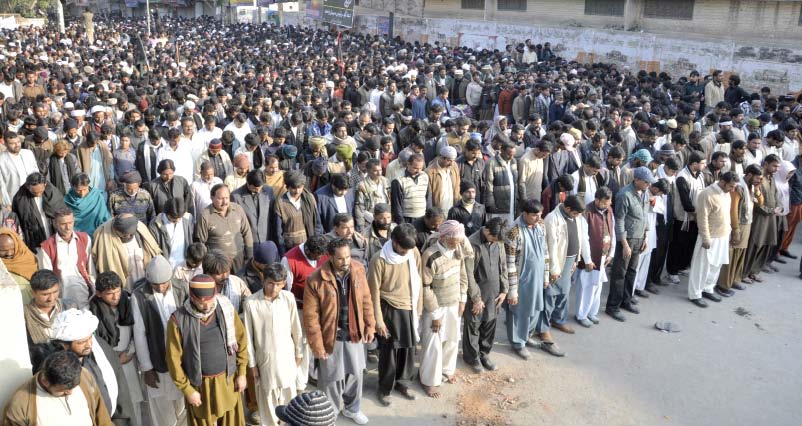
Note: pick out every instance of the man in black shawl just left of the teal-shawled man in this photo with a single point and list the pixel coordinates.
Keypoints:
(35, 205)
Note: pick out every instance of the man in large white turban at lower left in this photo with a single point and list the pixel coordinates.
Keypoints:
(74, 331)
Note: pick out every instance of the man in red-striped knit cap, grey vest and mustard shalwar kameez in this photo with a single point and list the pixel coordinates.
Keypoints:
(207, 355)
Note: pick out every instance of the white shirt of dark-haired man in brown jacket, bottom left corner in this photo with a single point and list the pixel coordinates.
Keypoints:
(63, 410)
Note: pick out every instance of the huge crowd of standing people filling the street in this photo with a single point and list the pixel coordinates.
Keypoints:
(206, 221)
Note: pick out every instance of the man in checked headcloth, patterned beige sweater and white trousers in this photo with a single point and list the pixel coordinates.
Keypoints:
(445, 282)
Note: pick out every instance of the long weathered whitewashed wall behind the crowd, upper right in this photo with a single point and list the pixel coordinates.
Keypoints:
(758, 63)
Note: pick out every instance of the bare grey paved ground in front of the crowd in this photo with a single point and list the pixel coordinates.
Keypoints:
(734, 363)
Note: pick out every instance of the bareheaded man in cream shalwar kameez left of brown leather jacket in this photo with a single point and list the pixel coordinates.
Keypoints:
(275, 342)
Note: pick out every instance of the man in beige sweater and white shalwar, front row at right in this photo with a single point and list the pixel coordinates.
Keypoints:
(712, 246)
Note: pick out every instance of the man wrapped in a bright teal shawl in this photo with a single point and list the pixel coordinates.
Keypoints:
(88, 204)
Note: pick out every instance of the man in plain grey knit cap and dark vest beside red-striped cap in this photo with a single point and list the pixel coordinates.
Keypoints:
(153, 301)
